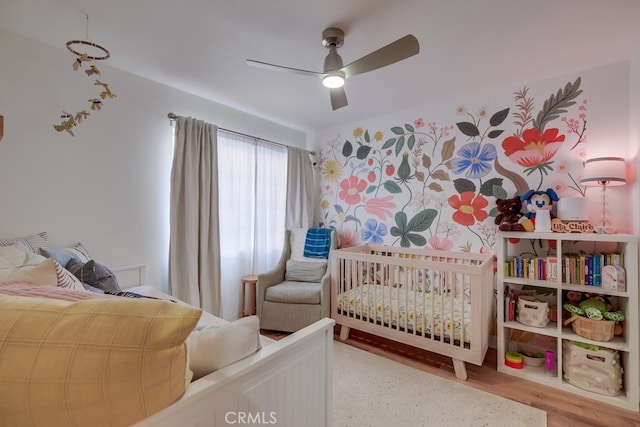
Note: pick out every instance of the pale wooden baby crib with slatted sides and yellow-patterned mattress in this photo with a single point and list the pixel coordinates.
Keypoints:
(435, 300)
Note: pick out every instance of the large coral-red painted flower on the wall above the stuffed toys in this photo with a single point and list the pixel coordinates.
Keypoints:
(534, 149)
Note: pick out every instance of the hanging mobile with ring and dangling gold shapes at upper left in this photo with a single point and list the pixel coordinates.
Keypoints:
(85, 52)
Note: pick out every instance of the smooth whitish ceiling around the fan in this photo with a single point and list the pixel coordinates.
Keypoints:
(200, 46)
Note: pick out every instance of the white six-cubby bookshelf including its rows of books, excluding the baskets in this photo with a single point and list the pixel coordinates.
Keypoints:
(550, 265)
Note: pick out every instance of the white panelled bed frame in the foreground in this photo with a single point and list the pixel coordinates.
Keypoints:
(287, 383)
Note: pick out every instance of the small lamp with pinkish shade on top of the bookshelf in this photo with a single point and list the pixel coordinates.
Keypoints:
(605, 172)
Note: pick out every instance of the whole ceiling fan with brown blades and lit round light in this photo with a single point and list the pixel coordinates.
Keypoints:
(334, 73)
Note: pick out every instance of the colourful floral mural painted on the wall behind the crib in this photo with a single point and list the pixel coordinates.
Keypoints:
(426, 184)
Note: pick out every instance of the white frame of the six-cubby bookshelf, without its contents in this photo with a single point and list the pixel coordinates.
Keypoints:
(627, 344)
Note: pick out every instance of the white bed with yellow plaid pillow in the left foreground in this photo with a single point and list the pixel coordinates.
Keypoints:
(286, 382)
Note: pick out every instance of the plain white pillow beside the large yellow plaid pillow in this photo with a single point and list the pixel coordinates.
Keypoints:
(215, 347)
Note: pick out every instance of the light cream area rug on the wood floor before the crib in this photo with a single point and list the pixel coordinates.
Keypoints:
(370, 390)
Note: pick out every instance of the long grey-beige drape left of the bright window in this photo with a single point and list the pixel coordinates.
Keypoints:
(194, 263)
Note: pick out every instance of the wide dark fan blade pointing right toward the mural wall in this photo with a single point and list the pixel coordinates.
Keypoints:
(398, 50)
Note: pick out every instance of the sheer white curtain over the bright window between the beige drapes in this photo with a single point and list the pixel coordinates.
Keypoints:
(252, 199)
